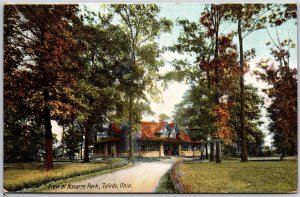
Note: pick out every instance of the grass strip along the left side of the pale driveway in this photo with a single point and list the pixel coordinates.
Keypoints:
(27, 175)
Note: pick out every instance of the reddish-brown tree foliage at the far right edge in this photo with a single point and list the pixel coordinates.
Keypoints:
(282, 91)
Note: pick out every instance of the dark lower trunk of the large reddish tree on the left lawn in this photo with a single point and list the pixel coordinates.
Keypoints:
(48, 132)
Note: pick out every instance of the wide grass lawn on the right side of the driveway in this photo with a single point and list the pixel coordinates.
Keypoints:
(237, 177)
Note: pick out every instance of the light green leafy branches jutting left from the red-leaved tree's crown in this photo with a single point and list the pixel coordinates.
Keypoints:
(192, 41)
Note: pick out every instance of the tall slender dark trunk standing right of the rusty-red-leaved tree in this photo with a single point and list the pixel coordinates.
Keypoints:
(244, 156)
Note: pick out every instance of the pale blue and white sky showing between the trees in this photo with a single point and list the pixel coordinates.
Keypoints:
(173, 94)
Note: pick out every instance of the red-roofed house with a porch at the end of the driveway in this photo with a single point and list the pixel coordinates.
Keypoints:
(154, 139)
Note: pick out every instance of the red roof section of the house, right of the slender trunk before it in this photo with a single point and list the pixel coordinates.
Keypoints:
(149, 129)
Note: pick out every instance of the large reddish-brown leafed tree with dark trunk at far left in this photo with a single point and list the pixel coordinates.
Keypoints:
(44, 63)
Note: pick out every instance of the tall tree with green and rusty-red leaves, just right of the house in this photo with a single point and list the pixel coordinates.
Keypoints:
(215, 56)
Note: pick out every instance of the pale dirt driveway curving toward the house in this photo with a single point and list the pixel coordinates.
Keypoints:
(142, 177)
